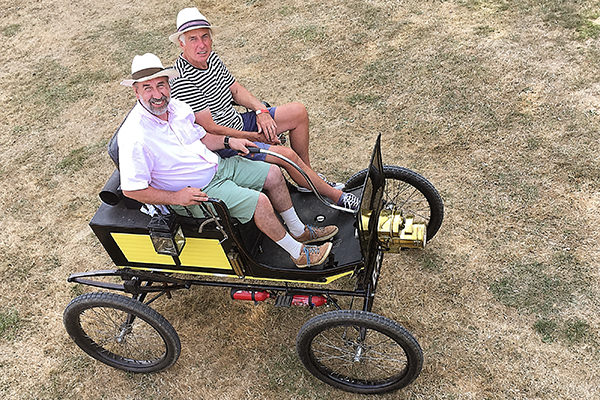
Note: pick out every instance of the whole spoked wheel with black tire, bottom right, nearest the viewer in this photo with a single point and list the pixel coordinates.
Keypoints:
(359, 351)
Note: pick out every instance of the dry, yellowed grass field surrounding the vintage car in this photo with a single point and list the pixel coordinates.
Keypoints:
(497, 102)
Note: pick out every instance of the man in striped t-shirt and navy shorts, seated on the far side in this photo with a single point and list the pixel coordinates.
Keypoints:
(208, 88)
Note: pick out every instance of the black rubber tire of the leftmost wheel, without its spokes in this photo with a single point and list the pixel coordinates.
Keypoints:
(83, 303)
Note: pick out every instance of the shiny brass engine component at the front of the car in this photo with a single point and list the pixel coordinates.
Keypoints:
(397, 232)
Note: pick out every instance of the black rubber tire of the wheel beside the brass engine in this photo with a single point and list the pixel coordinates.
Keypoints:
(392, 172)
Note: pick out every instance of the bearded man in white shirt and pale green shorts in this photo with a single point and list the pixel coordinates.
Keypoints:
(165, 158)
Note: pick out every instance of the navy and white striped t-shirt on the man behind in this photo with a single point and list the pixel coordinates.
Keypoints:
(207, 88)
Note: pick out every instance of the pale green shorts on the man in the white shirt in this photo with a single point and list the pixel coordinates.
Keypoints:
(237, 183)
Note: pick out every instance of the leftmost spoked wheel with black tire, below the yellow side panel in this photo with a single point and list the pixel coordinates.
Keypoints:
(122, 332)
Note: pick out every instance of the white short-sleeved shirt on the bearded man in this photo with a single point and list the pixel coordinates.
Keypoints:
(166, 155)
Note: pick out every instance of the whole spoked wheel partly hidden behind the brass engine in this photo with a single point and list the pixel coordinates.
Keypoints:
(409, 192)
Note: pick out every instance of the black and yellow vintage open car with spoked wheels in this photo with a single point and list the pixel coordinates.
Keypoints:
(350, 348)
